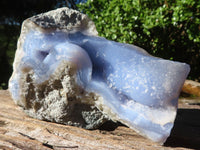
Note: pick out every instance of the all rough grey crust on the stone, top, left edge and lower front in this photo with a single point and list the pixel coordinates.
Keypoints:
(58, 99)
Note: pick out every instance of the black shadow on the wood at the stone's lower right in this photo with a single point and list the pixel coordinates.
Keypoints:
(186, 130)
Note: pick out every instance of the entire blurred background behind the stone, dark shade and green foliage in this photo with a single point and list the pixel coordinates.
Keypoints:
(165, 28)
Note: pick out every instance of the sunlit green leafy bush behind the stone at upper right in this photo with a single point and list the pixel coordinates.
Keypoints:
(165, 28)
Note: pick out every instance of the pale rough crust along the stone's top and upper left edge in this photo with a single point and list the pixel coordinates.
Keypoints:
(62, 19)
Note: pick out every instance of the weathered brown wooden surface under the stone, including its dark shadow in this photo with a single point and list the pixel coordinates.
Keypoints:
(18, 131)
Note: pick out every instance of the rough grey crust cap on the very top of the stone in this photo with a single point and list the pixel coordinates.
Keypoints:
(65, 19)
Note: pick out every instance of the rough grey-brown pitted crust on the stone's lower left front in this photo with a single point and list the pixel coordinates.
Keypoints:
(60, 99)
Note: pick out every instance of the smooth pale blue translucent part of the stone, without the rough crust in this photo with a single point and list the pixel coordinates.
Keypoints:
(141, 90)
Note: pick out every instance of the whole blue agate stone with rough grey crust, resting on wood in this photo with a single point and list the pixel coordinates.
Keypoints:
(65, 73)
